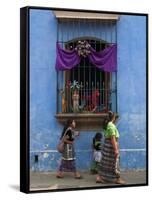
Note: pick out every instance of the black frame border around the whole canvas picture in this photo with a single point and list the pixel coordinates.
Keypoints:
(25, 98)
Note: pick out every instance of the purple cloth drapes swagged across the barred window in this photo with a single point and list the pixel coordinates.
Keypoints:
(105, 60)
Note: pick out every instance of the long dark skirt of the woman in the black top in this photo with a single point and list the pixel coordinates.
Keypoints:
(68, 159)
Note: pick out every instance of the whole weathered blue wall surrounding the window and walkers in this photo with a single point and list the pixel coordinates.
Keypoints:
(44, 128)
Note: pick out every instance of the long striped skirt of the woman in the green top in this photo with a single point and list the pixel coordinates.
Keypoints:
(109, 166)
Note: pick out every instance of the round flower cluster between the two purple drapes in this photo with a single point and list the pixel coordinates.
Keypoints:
(83, 48)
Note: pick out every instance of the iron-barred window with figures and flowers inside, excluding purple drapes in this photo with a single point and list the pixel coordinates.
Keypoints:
(96, 93)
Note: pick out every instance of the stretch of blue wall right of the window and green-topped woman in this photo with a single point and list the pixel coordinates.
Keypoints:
(131, 87)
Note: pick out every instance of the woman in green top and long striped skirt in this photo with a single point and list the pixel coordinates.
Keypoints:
(108, 169)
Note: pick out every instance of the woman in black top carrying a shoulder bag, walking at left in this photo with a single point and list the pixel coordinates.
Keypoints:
(68, 156)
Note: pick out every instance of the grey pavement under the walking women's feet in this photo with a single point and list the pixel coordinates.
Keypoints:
(47, 180)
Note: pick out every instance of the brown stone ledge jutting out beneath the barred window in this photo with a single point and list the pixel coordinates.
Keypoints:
(84, 121)
